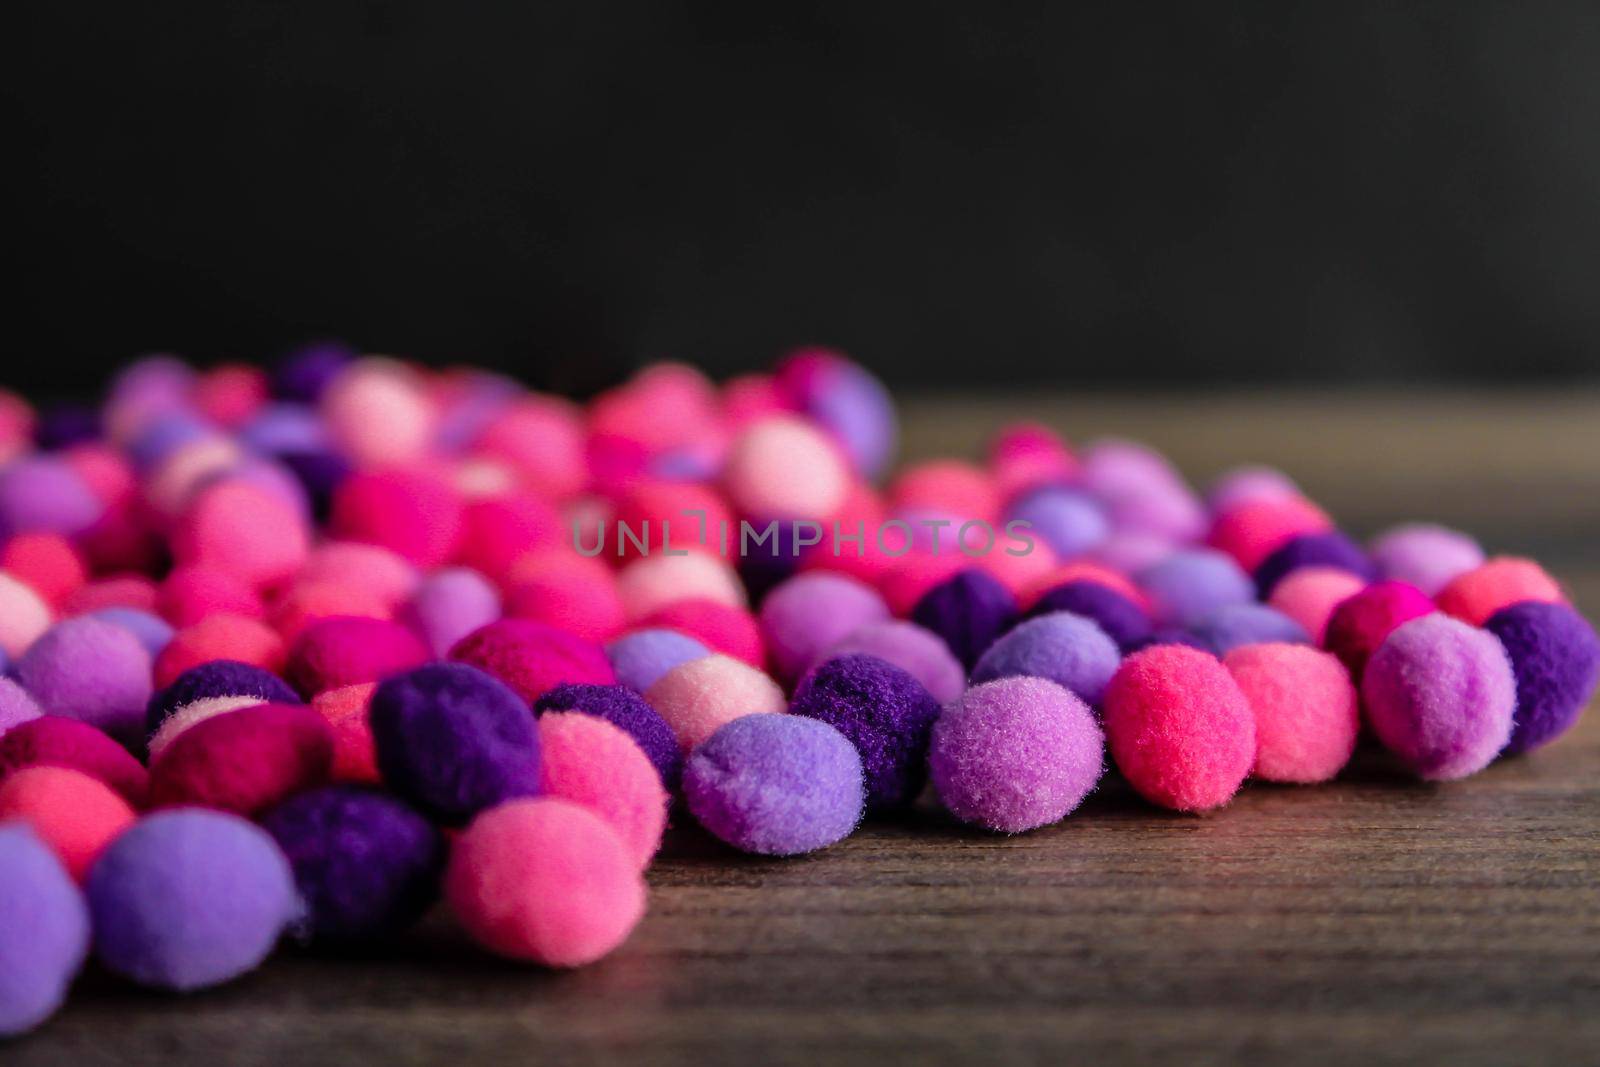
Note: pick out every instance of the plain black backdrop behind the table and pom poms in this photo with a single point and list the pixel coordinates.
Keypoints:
(966, 194)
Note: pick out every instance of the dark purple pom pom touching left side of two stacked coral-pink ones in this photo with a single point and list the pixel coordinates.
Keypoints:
(454, 741)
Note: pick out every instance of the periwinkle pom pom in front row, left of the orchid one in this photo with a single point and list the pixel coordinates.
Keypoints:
(777, 785)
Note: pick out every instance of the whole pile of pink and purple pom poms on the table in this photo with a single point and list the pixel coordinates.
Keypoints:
(310, 653)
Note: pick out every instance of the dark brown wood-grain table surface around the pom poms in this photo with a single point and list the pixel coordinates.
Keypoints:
(1372, 921)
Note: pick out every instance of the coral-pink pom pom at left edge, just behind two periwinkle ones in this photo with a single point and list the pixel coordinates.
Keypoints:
(73, 813)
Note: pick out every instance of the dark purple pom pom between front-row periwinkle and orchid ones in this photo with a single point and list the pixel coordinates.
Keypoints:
(886, 713)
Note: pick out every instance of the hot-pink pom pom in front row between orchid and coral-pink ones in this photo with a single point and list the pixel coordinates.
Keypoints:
(1180, 729)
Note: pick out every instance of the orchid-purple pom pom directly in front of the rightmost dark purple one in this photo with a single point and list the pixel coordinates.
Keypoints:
(1441, 695)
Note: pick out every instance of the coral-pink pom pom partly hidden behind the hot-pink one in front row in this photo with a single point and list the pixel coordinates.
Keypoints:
(1308, 714)
